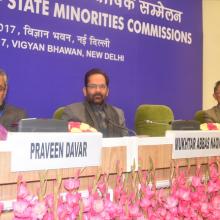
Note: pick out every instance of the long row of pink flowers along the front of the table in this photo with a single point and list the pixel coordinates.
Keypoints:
(135, 197)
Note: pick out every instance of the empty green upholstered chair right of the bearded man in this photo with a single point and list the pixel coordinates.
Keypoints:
(153, 120)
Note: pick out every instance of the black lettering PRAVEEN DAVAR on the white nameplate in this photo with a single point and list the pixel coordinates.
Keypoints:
(49, 150)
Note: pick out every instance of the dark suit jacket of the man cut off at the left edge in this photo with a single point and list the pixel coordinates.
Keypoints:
(11, 116)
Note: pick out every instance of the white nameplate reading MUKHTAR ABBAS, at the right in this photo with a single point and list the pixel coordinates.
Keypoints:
(189, 144)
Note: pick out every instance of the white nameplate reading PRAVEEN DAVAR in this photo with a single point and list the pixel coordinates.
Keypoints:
(43, 151)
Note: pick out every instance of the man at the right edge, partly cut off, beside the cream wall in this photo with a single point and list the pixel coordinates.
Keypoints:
(213, 114)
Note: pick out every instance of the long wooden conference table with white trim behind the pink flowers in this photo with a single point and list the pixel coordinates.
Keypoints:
(126, 152)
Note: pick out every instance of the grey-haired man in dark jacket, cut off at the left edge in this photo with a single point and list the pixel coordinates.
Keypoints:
(9, 115)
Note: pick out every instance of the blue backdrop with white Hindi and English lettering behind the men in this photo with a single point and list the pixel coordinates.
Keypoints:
(152, 51)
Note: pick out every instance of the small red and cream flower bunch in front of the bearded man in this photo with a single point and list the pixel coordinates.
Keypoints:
(77, 127)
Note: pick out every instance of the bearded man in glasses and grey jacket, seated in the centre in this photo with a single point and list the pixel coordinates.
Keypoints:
(94, 110)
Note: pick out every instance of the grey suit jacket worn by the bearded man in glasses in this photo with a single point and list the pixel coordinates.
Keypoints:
(77, 112)
